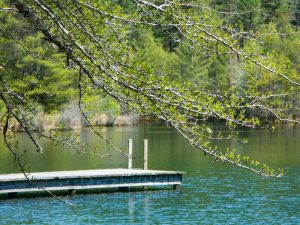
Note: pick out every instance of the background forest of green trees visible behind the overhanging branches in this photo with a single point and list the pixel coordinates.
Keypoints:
(35, 67)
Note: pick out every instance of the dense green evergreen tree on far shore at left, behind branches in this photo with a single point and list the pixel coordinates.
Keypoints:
(33, 68)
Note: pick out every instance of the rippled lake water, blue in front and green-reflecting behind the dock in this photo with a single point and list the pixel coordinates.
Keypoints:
(211, 194)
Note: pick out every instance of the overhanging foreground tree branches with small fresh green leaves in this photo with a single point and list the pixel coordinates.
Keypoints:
(94, 36)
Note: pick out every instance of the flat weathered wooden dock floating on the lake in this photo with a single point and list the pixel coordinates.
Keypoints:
(122, 179)
